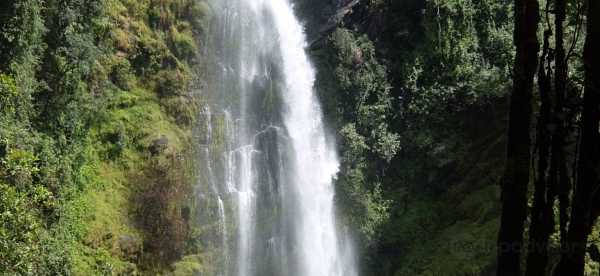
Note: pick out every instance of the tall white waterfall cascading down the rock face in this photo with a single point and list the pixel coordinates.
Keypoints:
(276, 164)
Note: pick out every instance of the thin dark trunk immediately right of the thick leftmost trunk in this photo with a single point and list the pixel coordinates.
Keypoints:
(537, 257)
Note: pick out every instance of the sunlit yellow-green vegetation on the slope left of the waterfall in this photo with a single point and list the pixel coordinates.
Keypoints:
(95, 123)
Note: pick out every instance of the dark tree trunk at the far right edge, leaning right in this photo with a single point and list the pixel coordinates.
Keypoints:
(583, 211)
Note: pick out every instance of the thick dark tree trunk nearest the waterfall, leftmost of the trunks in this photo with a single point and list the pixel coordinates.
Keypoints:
(518, 156)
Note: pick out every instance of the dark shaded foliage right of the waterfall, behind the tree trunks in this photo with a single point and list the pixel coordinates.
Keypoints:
(418, 90)
